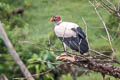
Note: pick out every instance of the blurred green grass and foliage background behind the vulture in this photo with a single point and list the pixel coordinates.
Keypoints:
(31, 28)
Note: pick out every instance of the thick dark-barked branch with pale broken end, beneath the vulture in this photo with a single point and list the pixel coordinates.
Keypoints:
(91, 63)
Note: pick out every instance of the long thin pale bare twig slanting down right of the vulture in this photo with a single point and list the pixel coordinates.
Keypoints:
(108, 35)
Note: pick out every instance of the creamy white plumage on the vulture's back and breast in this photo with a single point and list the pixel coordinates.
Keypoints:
(64, 29)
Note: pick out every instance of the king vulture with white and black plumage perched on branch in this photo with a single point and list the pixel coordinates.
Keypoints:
(70, 34)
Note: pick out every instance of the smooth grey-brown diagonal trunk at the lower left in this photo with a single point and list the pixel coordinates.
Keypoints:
(14, 54)
